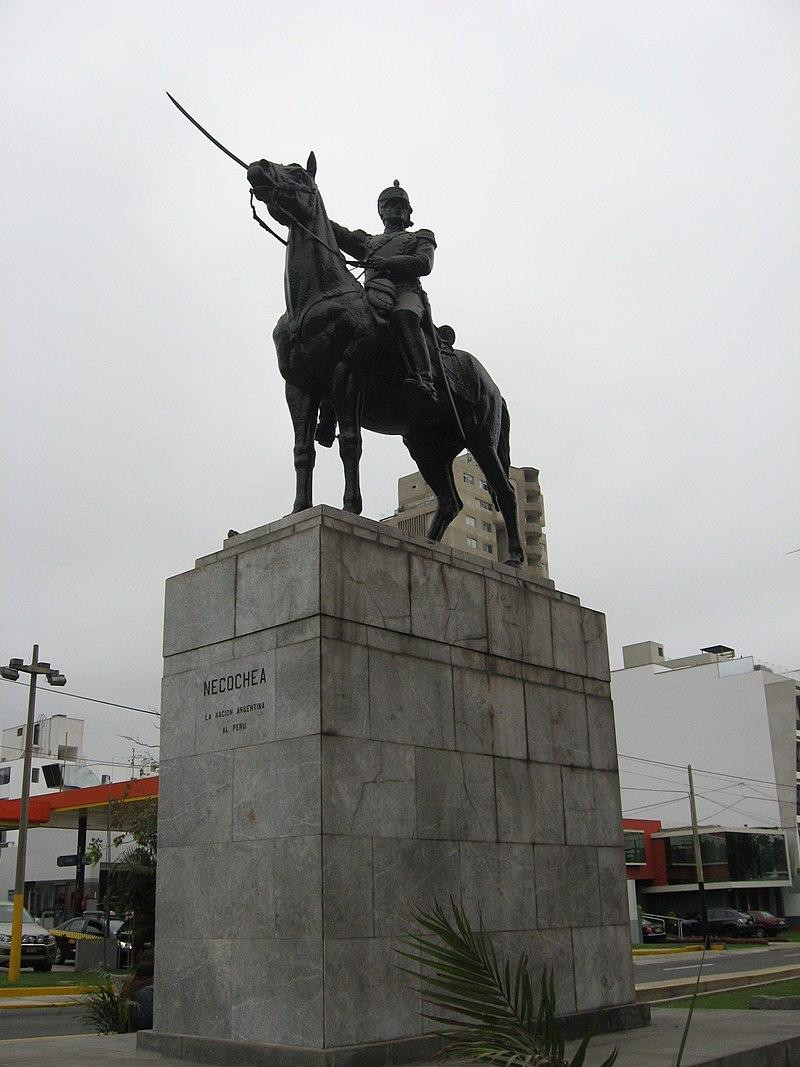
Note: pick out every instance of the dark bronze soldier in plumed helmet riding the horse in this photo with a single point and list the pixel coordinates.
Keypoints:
(396, 261)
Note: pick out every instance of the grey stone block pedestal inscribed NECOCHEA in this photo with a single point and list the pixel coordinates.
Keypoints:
(355, 723)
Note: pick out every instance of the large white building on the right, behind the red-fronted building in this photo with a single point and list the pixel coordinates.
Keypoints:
(737, 723)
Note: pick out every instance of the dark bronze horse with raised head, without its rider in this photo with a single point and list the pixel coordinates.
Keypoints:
(342, 367)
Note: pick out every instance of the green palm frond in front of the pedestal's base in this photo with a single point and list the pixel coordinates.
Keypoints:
(486, 1011)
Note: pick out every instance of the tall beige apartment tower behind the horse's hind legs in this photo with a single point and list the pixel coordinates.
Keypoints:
(479, 529)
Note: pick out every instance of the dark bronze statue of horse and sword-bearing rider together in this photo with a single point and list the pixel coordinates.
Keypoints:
(369, 356)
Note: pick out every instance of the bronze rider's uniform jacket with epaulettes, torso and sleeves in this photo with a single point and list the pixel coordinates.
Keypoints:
(412, 259)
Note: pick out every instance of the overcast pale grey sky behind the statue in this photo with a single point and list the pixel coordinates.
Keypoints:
(614, 187)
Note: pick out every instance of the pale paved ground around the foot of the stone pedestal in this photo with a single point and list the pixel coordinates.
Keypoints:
(718, 1039)
